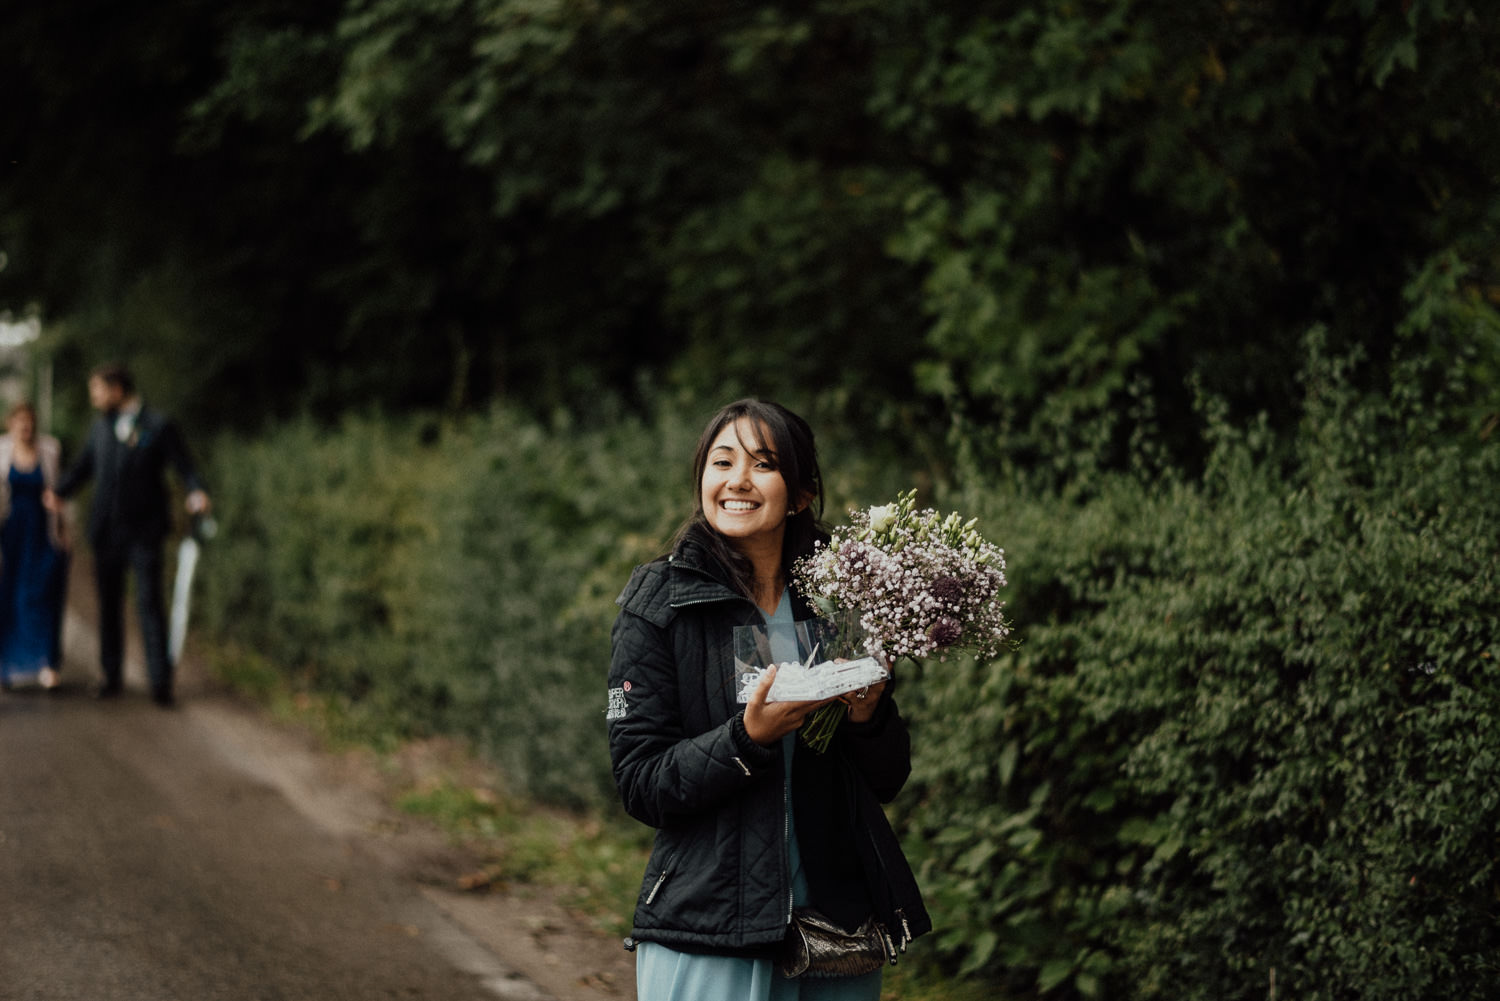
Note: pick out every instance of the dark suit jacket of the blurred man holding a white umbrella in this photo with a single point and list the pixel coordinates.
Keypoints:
(131, 499)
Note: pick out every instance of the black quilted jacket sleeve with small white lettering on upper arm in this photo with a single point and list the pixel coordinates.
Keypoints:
(664, 774)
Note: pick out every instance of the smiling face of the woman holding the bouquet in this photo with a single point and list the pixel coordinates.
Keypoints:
(743, 493)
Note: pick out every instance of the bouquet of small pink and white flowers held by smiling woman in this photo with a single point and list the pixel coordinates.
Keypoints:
(916, 583)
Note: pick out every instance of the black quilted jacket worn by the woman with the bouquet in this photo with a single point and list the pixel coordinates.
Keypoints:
(718, 880)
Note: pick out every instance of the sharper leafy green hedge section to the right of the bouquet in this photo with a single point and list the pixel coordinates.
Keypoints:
(1249, 736)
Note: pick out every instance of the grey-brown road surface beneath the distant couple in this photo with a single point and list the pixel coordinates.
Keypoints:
(154, 855)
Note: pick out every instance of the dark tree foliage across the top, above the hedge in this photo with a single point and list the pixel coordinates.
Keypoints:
(1013, 218)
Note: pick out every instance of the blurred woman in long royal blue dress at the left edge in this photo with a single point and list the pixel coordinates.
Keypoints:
(34, 556)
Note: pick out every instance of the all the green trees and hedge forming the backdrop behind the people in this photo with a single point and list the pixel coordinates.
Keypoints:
(1195, 307)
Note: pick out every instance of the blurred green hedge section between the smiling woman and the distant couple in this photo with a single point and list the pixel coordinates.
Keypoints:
(443, 577)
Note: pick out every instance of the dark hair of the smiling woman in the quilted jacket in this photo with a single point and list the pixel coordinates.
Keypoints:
(791, 439)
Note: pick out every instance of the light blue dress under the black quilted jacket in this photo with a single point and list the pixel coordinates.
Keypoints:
(667, 975)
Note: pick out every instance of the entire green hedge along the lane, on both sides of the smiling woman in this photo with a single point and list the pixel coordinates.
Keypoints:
(1249, 736)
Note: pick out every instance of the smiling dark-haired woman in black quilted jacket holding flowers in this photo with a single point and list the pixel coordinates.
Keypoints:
(752, 826)
